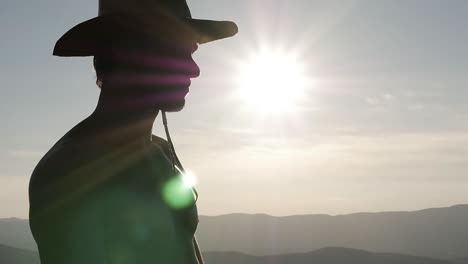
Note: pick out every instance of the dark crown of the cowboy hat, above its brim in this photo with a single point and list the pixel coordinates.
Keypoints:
(178, 8)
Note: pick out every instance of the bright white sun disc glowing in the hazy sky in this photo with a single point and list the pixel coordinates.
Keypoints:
(272, 81)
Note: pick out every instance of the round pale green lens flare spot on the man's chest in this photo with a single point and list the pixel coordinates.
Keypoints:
(177, 194)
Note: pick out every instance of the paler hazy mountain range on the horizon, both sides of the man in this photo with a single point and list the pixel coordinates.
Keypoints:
(440, 233)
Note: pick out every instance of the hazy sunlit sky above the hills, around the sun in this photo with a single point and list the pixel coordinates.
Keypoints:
(383, 126)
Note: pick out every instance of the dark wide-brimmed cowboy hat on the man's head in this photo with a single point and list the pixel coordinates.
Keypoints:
(166, 20)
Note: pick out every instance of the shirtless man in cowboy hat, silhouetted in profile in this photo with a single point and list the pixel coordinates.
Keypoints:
(109, 191)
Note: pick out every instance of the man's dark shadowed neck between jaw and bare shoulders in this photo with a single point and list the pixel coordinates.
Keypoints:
(124, 120)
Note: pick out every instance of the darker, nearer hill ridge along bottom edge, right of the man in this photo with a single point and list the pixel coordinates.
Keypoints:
(322, 256)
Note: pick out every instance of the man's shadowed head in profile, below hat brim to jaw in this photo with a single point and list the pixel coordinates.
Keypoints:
(150, 73)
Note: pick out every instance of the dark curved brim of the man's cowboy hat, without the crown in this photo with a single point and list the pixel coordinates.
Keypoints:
(91, 37)
